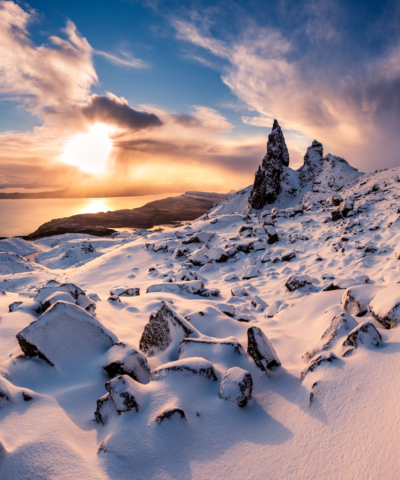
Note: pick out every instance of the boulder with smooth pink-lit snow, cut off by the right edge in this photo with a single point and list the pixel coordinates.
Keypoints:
(386, 306)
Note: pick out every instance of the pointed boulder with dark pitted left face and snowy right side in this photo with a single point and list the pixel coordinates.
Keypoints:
(164, 332)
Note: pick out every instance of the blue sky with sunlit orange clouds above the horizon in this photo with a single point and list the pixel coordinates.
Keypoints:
(181, 95)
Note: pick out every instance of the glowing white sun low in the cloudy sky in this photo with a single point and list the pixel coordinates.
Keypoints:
(89, 151)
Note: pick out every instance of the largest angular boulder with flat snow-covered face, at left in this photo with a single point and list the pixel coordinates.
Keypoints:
(65, 334)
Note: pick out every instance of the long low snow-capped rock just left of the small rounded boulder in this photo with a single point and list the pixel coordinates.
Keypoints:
(184, 367)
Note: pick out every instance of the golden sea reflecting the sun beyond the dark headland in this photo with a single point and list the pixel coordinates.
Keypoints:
(24, 216)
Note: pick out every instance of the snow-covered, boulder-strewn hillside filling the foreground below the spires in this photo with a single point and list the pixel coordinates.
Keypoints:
(267, 346)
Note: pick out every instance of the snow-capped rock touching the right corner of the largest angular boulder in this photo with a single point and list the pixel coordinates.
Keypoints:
(124, 359)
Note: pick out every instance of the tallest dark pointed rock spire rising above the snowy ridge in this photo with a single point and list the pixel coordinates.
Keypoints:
(267, 183)
